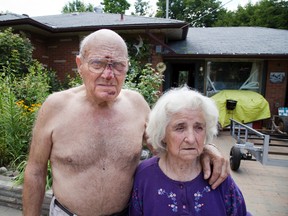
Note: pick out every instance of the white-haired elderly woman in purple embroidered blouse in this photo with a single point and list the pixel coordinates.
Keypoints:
(172, 183)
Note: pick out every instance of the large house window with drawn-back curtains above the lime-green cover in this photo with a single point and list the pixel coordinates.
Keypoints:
(232, 75)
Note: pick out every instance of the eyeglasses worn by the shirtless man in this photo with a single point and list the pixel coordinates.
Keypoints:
(110, 62)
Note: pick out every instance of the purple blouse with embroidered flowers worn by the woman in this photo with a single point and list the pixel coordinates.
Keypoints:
(155, 194)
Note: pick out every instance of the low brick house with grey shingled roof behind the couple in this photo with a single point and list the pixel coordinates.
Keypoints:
(208, 59)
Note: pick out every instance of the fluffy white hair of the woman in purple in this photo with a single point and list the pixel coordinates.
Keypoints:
(174, 101)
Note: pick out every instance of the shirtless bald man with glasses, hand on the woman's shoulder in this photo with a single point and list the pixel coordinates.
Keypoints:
(93, 135)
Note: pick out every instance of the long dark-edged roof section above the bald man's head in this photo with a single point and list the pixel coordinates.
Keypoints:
(90, 21)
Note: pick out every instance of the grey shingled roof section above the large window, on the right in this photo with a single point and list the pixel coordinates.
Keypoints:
(233, 41)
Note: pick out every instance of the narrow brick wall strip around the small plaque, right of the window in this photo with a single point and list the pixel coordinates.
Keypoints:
(276, 92)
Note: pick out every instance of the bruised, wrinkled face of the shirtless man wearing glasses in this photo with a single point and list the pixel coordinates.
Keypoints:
(103, 68)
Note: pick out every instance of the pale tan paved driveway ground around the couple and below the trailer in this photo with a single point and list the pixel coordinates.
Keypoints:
(265, 188)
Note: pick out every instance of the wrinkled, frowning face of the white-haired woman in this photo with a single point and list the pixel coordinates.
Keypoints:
(185, 134)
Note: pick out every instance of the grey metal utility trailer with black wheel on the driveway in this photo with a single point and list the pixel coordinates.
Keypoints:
(267, 147)
